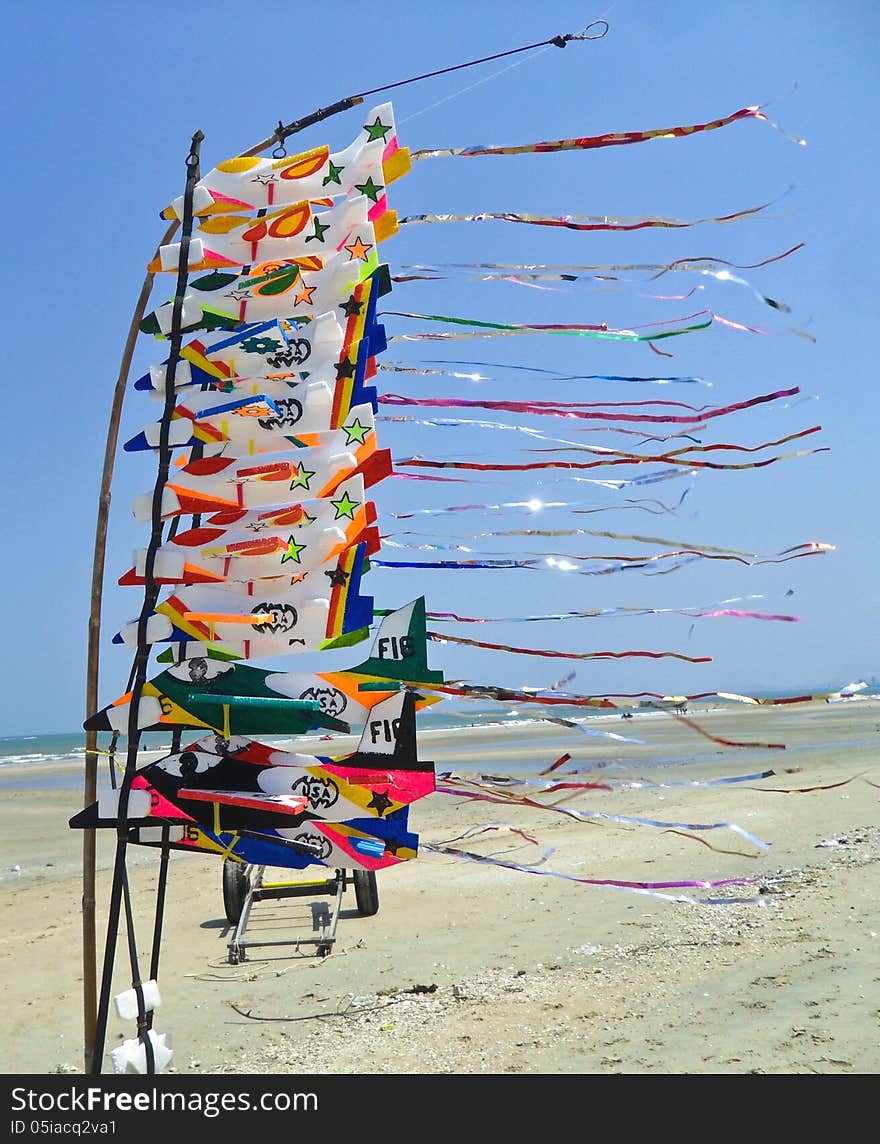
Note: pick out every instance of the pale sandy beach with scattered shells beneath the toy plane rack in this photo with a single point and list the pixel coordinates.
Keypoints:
(472, 967)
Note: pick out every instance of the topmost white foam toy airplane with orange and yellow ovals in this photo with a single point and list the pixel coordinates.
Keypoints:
(371, 163)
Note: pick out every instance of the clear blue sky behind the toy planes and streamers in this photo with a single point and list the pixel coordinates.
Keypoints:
(102, 102)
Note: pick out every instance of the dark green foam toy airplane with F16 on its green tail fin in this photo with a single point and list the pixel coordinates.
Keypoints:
(200, 692)
